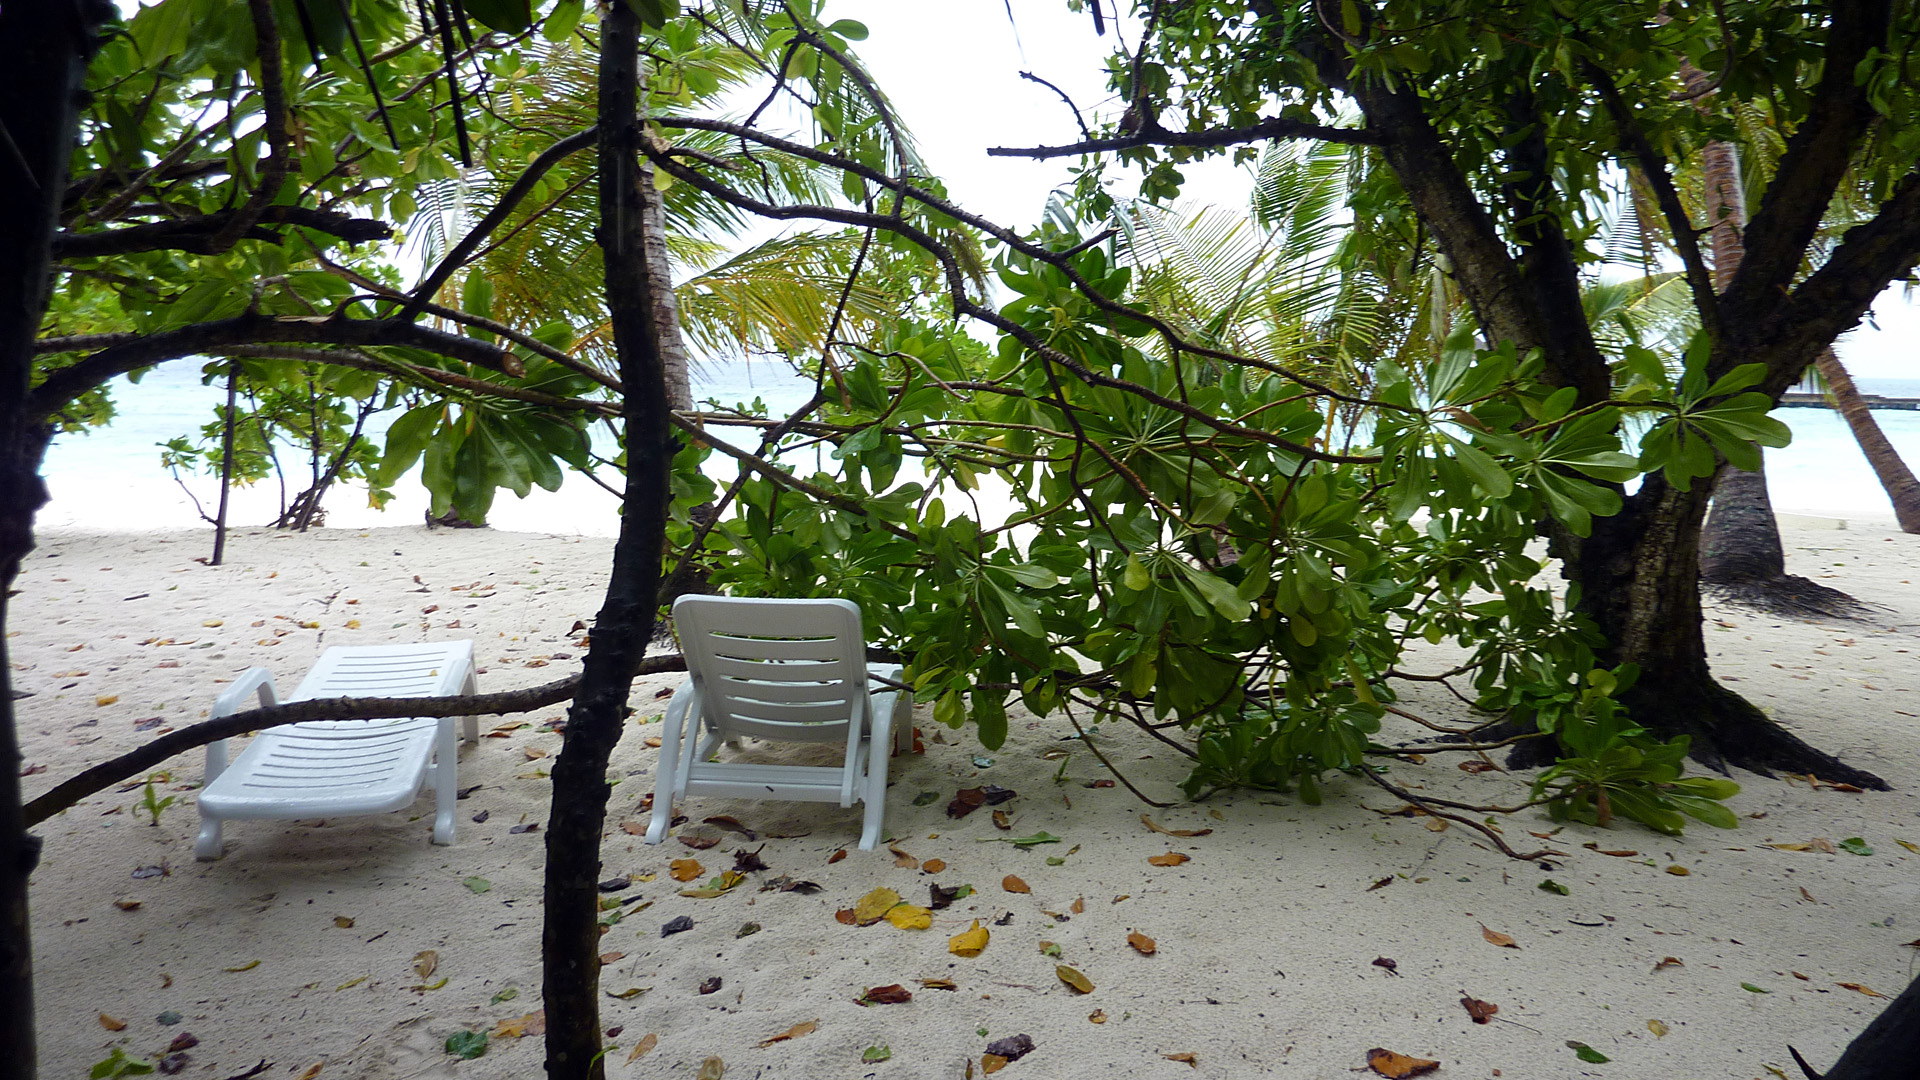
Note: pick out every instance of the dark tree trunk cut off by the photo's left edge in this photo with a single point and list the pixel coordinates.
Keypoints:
(43, 76)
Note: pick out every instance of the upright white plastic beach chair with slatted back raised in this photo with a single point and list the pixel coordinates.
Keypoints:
(779, 670)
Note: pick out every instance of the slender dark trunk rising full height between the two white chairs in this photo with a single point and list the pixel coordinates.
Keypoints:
(625, 624)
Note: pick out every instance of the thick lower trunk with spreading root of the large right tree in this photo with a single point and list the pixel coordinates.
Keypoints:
(1641, 583)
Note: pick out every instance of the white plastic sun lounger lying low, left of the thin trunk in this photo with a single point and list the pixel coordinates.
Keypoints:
(343, 768)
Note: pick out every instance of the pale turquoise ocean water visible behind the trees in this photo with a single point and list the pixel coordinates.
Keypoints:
(110, 479)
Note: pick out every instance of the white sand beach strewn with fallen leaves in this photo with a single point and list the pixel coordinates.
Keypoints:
(1266, 939)
